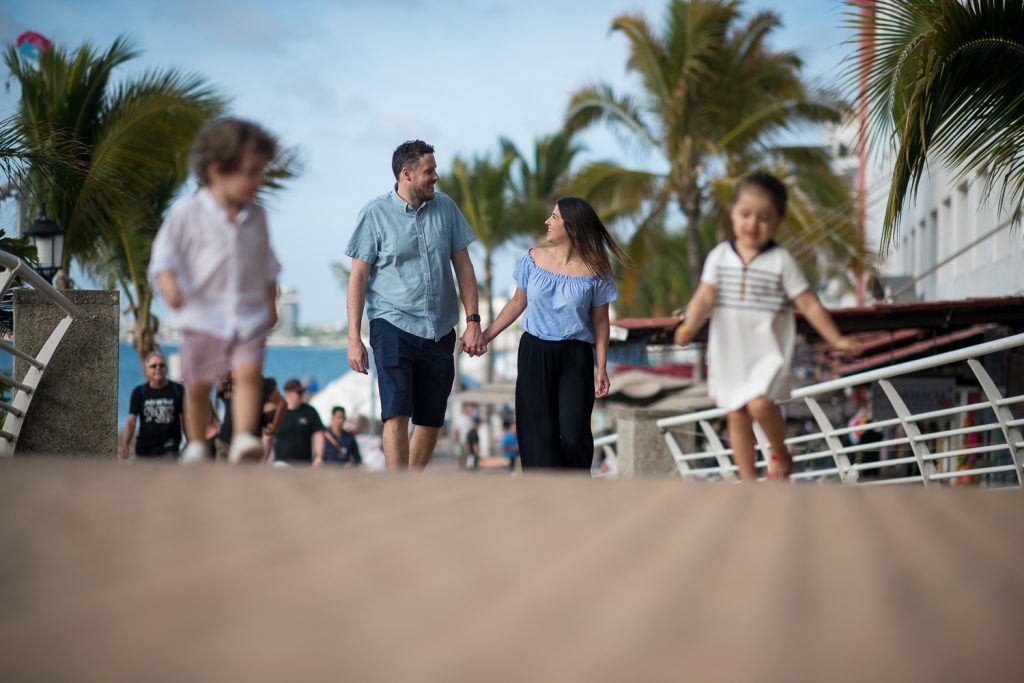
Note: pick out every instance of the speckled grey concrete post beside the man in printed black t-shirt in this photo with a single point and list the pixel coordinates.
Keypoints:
(75, 410)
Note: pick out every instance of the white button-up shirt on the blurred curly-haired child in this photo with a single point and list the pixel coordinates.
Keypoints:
(225, 269)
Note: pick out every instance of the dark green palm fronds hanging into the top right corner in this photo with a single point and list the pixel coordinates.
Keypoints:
(941, 83)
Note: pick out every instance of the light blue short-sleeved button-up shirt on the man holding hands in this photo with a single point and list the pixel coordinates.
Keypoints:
(412, 285)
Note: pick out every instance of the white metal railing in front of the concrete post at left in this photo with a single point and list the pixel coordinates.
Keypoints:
(23, 392)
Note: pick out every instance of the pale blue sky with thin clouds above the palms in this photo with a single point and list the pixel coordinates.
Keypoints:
(348, 81)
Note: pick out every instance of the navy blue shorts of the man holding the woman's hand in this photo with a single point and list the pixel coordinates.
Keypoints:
(414, 375)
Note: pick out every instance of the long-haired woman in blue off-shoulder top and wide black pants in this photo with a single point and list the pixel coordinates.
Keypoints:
(566, 291)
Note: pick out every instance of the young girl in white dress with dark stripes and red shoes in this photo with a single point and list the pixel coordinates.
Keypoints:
(750, 286)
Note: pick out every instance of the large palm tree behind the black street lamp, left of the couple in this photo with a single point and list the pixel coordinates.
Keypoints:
(132, 143)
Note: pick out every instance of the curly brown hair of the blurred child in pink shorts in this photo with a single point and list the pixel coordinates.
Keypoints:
(225, 143)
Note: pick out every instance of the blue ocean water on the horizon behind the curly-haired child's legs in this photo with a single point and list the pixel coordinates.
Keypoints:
(283, 363)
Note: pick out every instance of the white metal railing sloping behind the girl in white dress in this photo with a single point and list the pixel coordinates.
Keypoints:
(994, 447)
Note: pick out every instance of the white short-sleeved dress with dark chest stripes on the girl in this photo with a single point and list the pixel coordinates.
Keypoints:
(753, 326)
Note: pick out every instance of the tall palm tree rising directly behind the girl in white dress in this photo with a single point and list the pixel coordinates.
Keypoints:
(715, 102)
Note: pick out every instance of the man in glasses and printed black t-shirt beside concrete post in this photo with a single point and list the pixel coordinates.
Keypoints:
(158, 406)
